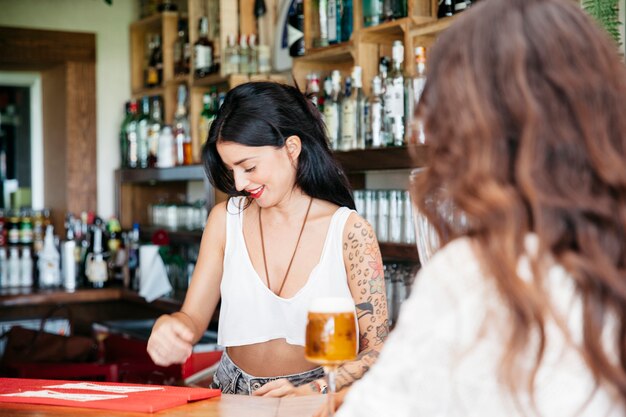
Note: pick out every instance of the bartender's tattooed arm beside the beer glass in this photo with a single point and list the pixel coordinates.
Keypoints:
(364, 268)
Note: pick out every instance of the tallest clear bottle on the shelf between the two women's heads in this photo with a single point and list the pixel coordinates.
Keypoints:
(394, 95)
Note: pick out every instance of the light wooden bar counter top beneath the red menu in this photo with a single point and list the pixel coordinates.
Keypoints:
(225, 406)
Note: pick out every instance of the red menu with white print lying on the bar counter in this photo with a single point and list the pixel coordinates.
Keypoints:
(102, 395)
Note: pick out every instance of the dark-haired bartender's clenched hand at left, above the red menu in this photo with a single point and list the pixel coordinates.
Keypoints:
(171, 341)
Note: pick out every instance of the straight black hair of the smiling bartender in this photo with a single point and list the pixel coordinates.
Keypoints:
(266, 114)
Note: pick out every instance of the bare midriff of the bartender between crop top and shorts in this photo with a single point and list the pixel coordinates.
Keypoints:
(272, 358)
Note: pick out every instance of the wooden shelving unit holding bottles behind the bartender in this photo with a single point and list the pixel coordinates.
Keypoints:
(137, 189)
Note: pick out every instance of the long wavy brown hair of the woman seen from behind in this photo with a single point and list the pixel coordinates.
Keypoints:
(524, 109)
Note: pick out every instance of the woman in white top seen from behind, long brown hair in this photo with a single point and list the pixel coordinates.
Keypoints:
(523, 312)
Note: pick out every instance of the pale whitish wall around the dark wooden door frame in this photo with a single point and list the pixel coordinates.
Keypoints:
(110, 24)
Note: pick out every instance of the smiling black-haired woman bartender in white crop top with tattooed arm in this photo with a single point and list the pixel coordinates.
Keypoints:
(287, 234)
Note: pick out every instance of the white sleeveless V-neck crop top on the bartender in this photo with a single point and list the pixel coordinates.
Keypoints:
(250, 312)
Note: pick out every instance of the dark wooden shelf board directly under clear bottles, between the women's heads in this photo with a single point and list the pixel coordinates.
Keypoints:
(403, 157)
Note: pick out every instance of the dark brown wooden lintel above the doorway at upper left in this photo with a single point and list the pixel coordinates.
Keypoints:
(43, 48)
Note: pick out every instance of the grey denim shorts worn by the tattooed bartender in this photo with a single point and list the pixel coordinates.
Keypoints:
(232, 380)
